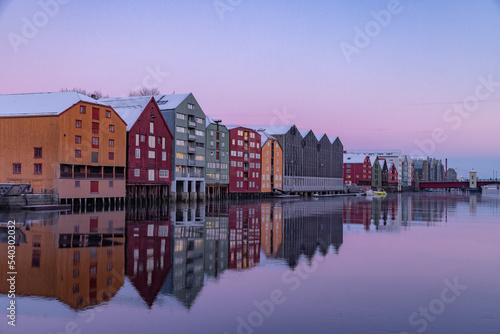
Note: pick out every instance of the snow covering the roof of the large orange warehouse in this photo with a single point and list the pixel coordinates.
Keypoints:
(40, 104)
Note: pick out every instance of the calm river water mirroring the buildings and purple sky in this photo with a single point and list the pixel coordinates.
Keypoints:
(408, 263)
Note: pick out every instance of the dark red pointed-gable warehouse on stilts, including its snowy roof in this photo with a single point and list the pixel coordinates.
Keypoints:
(149, 146)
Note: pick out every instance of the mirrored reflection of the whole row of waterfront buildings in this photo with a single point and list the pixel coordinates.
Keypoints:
(84, 259)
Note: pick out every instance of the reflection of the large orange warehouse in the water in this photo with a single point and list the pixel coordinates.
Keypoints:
(75, 258)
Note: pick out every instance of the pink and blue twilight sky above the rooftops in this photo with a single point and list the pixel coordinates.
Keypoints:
(421, 76)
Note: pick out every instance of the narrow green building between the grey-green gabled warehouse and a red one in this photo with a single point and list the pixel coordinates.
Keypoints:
(216, 158)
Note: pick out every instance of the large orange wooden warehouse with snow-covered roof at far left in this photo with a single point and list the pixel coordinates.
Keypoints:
(63, 143)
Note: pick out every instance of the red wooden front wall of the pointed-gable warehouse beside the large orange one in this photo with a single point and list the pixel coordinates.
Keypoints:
(144, 163)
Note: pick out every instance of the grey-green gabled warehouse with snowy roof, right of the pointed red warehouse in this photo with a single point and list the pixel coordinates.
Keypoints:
(186, 120)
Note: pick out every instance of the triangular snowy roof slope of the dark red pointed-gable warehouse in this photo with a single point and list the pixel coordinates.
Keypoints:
(129, 108)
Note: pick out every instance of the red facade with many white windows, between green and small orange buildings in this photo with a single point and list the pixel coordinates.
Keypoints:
(244, 175)
